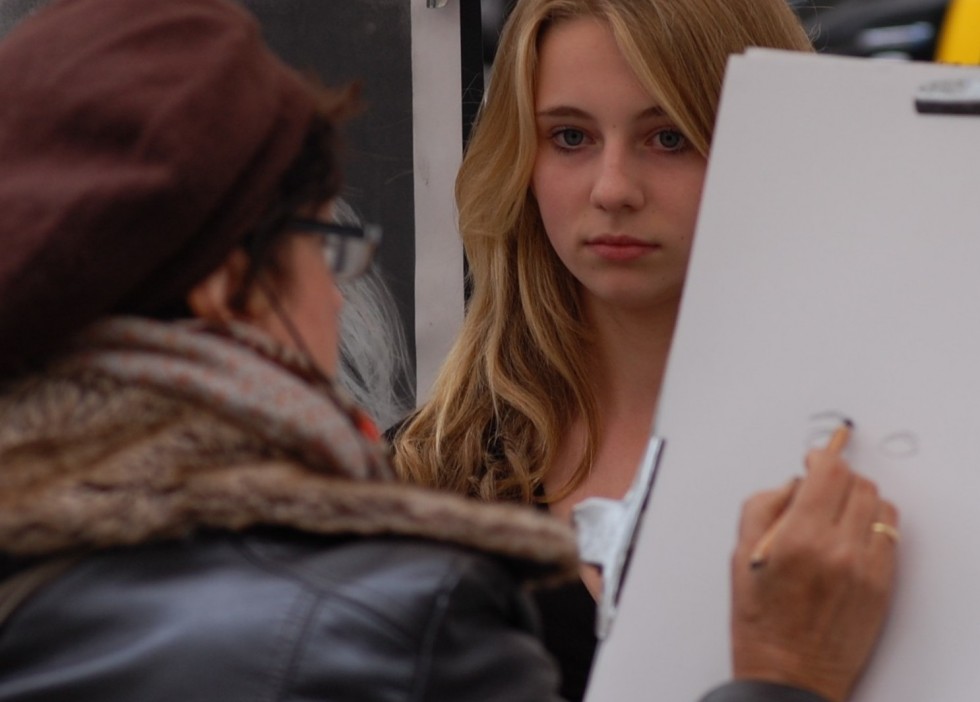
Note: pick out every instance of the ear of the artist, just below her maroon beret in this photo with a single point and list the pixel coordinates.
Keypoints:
(218, 298)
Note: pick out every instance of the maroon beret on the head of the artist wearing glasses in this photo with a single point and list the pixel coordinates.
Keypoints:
(140, 140)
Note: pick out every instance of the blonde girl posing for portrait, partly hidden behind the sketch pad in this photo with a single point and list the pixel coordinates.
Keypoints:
(577, 198)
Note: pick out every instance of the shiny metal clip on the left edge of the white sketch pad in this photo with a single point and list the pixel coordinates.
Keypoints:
(607, 531)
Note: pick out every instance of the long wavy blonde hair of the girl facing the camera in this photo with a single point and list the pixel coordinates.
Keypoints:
(518, 372)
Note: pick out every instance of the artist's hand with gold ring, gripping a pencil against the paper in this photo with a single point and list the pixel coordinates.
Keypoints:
(810, 616)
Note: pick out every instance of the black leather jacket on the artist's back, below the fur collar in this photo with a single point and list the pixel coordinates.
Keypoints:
(278, 617)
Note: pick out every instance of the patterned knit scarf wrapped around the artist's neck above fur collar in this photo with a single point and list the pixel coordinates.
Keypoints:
(244, 376)
